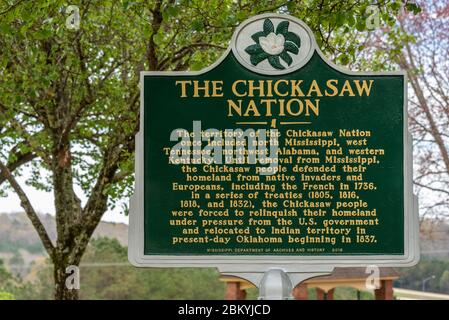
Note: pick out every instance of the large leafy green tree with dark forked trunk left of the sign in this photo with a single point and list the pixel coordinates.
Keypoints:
(69, 94)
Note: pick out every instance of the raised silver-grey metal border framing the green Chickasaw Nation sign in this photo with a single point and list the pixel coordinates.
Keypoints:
(255, 263)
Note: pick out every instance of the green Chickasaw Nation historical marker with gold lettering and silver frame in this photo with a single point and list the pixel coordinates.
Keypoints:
(273, 156)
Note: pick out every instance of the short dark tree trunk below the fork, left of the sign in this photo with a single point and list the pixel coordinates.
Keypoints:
(65, 281)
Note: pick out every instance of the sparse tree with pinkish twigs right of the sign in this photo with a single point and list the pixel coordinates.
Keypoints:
(424, 39)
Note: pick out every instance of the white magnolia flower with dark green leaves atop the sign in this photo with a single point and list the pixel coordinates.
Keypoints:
(274, 45)
